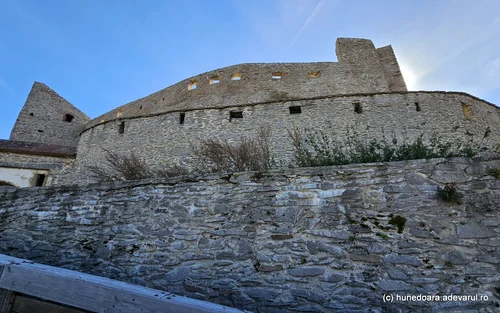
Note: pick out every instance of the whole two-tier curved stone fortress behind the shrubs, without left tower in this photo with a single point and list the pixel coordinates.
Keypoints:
(161, 127)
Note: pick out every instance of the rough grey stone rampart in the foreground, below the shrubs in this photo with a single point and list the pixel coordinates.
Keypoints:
(303, 240)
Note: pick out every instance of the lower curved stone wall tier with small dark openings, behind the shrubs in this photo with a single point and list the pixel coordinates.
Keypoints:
(161, 139)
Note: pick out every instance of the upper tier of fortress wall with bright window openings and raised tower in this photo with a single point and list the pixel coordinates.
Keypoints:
(360, 69)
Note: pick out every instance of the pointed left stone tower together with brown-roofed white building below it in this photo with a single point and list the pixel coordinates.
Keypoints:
(43, 140)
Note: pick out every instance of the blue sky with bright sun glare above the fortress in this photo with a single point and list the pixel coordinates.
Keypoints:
(102, 54)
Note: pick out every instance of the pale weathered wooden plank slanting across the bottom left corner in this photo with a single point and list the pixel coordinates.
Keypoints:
(94, 293)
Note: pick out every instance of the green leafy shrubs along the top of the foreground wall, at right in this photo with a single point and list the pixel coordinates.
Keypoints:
(315, 147)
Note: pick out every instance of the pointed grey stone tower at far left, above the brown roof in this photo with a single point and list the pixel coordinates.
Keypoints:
(48, 118)
